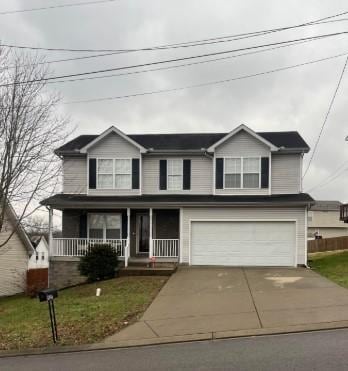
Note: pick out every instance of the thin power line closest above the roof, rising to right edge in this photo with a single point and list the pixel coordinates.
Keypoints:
(204, 84)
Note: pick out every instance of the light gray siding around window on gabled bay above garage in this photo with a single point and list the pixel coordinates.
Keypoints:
(242, 145)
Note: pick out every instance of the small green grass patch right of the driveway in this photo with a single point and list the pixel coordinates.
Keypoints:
(332, 266)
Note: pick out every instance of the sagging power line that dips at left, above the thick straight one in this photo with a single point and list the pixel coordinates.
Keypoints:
(187, 43)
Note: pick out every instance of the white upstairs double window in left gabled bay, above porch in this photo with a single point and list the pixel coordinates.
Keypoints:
(114, 174)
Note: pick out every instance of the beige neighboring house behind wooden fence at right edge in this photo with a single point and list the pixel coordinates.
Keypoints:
(324, 220)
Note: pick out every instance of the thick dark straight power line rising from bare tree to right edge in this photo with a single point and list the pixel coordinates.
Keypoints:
(169, 60)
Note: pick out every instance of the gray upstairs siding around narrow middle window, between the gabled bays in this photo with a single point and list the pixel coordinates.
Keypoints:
(201, 175)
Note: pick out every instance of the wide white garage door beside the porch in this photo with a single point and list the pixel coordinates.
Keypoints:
(246, 243)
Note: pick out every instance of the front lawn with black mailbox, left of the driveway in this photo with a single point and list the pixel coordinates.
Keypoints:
(81, 316)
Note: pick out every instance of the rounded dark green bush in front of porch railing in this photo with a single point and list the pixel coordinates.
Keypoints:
(99, 263)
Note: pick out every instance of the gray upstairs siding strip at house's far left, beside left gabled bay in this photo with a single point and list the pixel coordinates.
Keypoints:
(75, 175)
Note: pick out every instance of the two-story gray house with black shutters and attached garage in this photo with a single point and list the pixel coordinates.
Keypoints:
(230, 199)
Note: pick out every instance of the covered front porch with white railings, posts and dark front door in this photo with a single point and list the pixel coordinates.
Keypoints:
(136, 234)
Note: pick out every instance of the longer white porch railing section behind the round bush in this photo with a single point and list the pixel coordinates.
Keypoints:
(80, 246)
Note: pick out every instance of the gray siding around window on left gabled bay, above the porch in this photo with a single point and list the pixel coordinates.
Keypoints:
(114, 146)
